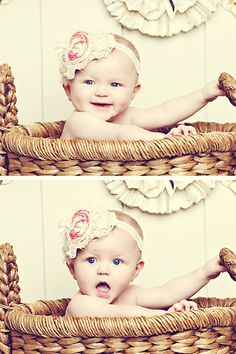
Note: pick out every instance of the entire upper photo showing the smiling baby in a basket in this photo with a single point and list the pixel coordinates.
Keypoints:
(117, 88)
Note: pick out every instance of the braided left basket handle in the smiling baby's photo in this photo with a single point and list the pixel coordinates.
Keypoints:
(8, 110)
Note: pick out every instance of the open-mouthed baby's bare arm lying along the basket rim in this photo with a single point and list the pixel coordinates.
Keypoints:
(84, 305)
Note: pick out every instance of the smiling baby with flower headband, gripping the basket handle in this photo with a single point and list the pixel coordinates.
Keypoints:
(100, 75)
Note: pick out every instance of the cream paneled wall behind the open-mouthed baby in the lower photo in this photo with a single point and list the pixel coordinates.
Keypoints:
(174, 244)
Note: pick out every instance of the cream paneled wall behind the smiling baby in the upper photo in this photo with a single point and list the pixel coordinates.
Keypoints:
(171, 66)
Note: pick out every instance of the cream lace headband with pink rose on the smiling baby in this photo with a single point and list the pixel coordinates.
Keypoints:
(83, 47)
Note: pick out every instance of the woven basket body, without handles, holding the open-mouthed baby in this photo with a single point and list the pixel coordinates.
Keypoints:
(41, 328)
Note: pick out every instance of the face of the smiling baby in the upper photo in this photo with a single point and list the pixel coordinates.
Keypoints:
(105, 87)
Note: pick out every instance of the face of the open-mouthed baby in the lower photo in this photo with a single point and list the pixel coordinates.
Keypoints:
(107, 265)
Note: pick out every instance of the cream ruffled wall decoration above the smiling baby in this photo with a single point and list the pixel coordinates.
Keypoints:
(161, 17)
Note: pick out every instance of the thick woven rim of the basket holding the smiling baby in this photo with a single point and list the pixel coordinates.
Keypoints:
(56, 149)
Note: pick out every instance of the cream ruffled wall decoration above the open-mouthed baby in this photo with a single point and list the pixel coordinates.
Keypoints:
(159, 197)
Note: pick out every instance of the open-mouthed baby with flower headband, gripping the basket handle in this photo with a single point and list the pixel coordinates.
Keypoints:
(103, 251)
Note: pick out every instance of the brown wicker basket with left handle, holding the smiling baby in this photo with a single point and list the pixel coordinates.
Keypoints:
(37, 150)
